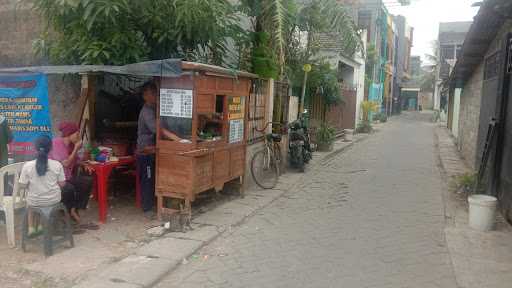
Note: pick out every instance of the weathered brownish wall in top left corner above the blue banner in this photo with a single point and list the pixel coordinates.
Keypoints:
(20, 26)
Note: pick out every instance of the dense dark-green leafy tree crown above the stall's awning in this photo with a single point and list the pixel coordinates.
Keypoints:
(126, 31)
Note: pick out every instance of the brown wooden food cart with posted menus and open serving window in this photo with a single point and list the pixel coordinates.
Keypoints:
(206, 109)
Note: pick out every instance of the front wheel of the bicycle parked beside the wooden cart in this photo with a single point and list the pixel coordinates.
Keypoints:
(264, 169)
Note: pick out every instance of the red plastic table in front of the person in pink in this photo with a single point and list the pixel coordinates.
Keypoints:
(102, 172)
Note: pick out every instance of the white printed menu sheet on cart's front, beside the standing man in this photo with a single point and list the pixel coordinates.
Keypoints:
(176, 103)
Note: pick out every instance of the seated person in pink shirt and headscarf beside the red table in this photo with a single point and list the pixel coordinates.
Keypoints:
(77, 189)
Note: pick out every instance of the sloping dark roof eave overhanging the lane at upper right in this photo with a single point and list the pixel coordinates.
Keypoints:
(491, 16)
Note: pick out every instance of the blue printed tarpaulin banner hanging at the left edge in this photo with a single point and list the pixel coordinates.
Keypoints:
(24, 103)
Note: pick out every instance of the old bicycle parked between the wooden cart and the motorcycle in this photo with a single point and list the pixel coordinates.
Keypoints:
(266, 162)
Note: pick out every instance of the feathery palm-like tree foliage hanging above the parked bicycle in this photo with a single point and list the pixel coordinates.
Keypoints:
(292, 29)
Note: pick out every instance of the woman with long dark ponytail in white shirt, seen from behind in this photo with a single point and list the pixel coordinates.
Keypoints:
(44, 179)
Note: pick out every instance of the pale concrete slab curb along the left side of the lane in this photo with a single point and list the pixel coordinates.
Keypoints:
(153, 261)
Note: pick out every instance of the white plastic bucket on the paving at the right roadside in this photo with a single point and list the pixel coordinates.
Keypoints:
(482, 212)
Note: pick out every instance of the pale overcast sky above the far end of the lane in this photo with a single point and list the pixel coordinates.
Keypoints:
(425, 16)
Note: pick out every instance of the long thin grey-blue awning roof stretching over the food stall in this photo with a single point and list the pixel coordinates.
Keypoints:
(162, 68)
